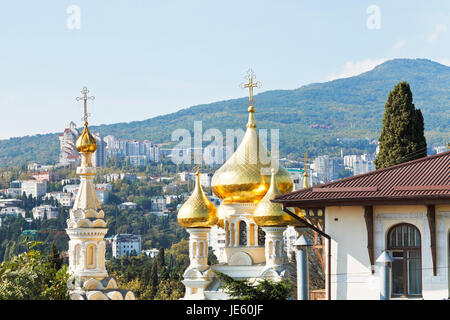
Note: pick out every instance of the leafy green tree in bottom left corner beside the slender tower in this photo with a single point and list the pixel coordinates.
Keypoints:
(33, 276)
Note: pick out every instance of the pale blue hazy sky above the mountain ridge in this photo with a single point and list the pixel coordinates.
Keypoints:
(146, 58)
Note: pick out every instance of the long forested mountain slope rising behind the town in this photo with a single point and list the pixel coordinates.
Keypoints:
(309, 118)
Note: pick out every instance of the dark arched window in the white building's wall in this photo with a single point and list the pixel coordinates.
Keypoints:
(404, 242)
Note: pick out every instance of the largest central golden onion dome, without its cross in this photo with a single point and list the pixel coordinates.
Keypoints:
(244, 177)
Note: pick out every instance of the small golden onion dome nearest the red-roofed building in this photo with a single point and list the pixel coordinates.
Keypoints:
(270, 214)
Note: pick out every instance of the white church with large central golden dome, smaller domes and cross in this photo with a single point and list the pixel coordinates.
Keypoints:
(253, 225)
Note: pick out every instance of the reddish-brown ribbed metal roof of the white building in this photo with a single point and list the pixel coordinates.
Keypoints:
(425, 179)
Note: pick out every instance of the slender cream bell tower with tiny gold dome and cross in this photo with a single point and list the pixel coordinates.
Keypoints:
(86, 229)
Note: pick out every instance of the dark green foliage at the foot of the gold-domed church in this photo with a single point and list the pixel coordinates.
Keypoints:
(265, 289)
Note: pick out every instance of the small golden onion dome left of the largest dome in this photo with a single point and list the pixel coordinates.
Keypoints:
(198, 211)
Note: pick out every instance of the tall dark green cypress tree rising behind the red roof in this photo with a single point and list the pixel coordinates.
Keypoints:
(402, 136)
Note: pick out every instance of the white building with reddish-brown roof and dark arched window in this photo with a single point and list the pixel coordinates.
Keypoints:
(404, 210)
